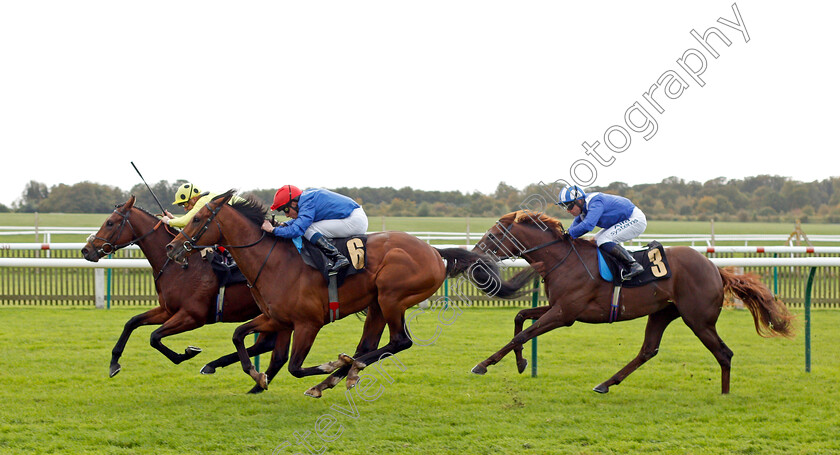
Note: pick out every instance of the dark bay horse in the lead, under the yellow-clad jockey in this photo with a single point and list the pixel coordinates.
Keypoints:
(186, 295)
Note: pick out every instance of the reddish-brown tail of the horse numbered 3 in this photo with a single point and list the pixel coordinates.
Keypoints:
(771, 316)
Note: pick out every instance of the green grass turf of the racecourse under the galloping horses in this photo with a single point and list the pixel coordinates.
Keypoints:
(58, 397)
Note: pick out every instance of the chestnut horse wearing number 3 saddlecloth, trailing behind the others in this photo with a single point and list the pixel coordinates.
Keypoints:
(569, 268)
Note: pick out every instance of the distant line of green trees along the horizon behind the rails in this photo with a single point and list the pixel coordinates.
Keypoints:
(759, 198)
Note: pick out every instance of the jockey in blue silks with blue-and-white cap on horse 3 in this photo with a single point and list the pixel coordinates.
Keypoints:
(619, 220)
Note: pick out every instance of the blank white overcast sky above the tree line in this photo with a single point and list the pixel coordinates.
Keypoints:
(436, 95)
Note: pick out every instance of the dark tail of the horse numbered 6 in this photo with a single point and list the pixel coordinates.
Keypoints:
(483, 272)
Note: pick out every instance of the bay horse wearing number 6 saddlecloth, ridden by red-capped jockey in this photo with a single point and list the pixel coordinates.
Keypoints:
(400, 272)
